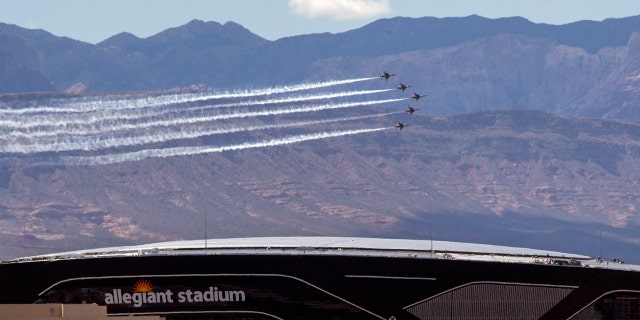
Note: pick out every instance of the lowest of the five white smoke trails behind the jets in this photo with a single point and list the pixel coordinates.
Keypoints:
(182, 151)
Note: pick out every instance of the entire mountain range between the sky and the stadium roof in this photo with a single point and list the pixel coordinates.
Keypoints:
(529, 137)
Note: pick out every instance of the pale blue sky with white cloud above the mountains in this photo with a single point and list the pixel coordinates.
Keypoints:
(93, 21)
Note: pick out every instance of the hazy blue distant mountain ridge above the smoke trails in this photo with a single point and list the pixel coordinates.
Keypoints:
(586, 68)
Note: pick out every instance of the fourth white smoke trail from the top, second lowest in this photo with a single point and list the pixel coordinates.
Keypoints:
(95, 143)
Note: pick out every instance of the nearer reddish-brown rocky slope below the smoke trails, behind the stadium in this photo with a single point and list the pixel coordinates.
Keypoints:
(506, 177)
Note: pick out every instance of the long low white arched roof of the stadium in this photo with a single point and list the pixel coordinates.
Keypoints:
(319, 245)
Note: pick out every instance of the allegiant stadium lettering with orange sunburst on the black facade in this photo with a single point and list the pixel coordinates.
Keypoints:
(143, 293)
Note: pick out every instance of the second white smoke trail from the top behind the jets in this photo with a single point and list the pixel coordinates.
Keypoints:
(25, 123)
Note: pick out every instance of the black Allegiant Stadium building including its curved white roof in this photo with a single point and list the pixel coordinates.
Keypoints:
(328, 278)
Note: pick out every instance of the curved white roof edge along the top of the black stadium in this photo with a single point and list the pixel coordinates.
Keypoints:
(315, 243)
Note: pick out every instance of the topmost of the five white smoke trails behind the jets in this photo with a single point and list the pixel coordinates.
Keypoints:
(175, 99)
